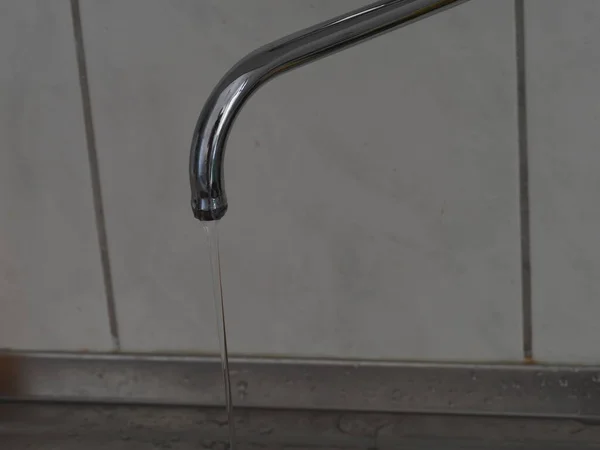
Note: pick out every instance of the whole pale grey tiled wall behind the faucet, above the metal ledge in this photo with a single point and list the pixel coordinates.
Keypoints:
(374, 202)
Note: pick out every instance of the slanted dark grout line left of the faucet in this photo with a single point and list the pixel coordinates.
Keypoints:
(95, 173)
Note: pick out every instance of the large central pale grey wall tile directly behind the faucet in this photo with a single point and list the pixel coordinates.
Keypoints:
(373, 196)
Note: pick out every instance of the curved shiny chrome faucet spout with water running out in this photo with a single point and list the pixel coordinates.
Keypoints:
(209, 201)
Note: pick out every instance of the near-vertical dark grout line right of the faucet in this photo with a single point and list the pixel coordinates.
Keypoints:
(524, 180)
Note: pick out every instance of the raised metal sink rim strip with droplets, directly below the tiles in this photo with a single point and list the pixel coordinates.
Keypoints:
(526, 390)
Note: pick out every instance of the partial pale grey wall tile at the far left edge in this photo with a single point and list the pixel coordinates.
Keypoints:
(51, 288)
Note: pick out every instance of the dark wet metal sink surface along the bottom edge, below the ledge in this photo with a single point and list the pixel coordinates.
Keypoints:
(112, 427)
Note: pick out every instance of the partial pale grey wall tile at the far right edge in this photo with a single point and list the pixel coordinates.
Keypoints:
(563, 69)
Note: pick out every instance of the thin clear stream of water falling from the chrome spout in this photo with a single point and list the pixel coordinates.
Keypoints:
(212, 236)
